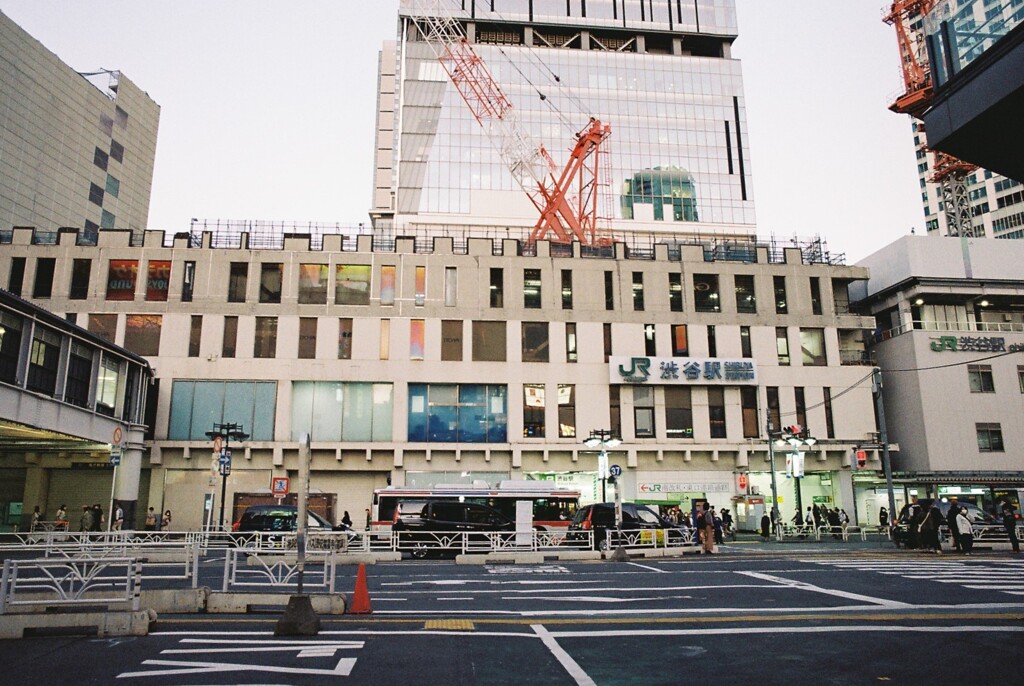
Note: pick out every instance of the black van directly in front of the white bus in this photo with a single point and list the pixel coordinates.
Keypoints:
(421, 526)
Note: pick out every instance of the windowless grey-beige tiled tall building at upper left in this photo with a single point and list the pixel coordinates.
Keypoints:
(72, 154)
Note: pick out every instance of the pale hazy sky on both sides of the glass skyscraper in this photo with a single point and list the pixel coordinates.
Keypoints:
(268, 108)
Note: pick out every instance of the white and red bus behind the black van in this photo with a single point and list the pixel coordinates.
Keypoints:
(553, 507)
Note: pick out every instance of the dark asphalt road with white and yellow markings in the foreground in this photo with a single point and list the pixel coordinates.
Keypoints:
(754, 614)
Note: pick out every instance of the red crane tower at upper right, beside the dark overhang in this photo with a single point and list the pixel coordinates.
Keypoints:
(908, 17)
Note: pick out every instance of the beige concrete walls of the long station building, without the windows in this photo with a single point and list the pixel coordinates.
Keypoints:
(456, 285)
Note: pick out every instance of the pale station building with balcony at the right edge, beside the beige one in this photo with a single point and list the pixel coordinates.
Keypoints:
(950, 340)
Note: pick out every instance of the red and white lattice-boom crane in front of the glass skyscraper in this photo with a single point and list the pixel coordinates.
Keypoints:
(568, 203)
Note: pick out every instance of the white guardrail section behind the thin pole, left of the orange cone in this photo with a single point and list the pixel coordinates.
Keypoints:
(248, 569)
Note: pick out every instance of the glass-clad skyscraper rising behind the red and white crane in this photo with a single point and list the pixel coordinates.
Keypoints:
(660, 72)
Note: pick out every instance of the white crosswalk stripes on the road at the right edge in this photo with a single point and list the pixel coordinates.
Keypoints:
(1002, 576)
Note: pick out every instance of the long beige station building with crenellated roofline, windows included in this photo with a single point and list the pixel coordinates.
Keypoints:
(424, 363)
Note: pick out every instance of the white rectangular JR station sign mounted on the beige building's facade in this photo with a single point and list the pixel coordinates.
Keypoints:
(682, 371)
